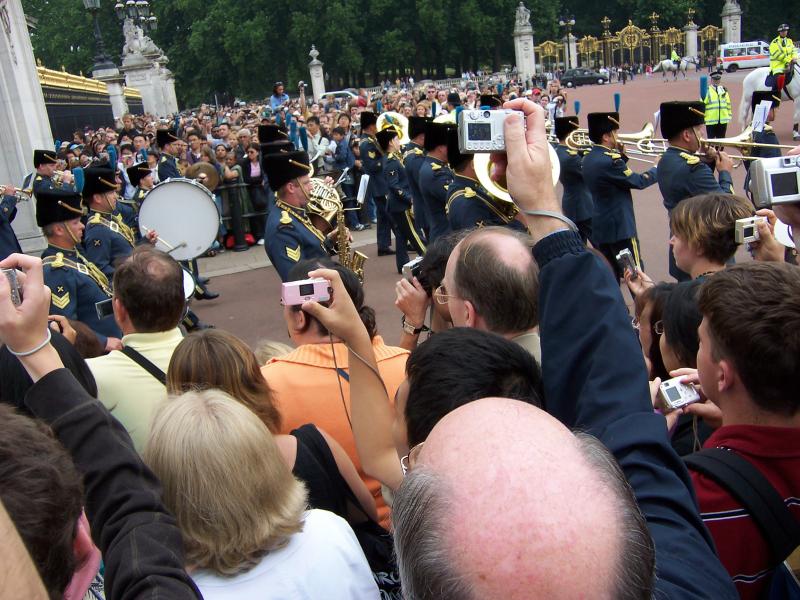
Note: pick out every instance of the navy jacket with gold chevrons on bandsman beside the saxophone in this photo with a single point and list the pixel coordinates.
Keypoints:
(290, 237)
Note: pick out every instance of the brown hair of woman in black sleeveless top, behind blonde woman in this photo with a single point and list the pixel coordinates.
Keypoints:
(216, 359)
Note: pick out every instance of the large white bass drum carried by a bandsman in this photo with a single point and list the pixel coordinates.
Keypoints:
(183, 213)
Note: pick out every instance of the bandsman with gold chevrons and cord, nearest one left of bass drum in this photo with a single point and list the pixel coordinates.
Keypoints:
(76, 285)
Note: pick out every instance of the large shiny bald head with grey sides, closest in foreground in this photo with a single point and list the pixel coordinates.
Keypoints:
(505, 502)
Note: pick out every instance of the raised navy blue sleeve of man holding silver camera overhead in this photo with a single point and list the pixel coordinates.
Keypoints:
(597, 383)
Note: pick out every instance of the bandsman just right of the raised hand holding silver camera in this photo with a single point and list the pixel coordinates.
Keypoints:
(577, 199)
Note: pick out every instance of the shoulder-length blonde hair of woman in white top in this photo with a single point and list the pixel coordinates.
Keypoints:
(225, 481)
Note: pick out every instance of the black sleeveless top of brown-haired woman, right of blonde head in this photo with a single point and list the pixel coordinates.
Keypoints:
(316, 467)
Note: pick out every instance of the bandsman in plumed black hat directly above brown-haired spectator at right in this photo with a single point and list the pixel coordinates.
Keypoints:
(681, 173)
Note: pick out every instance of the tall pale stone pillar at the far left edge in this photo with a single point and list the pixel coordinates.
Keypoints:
(23, 115)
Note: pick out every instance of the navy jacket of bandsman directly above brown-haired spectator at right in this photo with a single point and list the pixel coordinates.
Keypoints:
(682, 175)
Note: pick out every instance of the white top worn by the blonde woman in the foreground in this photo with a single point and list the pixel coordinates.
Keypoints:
(324, 561)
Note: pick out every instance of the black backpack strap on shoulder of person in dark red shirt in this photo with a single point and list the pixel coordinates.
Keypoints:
(757, 495)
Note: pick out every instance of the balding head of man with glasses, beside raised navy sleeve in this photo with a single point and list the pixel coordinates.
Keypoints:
(492, 280)
